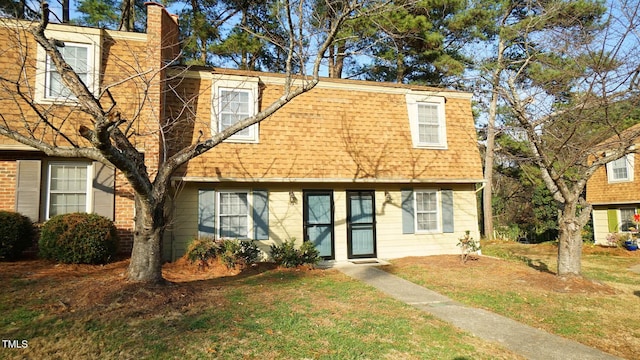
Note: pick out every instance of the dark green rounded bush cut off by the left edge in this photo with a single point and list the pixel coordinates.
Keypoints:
(16, 234)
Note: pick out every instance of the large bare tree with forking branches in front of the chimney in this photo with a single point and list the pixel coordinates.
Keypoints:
(109, 136)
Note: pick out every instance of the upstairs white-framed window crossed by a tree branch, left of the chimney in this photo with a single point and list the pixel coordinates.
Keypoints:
(81, 51)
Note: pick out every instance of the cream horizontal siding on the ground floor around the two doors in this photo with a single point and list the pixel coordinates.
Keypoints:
(285, 220)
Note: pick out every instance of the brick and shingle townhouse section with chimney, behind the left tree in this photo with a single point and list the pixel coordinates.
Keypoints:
(40, 186)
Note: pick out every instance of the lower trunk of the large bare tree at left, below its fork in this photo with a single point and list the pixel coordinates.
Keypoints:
(146, 255)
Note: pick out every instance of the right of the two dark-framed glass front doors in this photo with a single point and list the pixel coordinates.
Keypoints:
(361, 224)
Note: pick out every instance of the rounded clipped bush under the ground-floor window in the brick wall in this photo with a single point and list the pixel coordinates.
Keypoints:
(78, 238)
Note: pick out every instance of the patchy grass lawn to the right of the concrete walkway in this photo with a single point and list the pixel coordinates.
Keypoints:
(525, 289)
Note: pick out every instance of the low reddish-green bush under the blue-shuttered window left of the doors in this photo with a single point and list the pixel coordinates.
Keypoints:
(231, 252)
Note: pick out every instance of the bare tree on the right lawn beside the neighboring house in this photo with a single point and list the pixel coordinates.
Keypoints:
(570, 89)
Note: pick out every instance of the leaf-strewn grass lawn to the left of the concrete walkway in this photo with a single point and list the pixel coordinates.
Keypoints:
(271, 315)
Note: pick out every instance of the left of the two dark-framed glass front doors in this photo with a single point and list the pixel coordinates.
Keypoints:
(318, 221)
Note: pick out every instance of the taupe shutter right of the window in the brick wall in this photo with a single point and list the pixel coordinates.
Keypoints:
(104, 190)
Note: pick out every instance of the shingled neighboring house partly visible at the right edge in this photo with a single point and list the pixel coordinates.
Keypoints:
(614, 192)
